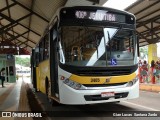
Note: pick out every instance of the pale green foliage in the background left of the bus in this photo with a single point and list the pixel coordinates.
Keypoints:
(23, 61)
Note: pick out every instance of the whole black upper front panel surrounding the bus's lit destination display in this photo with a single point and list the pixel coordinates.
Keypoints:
(94, 16)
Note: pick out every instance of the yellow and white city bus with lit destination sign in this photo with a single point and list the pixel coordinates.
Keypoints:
(87, 55)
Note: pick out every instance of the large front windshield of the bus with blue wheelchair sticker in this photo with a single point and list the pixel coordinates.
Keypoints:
(97, 46)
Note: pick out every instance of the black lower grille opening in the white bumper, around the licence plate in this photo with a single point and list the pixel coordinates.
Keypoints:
(98, 97)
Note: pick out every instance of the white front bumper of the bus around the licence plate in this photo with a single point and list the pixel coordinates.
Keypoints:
(69, 95)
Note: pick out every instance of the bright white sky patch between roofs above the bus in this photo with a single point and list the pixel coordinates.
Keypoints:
(119, 4)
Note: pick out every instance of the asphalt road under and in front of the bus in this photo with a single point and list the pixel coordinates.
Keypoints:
(145, 107)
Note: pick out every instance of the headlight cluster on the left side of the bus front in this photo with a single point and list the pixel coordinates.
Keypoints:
(73, 84)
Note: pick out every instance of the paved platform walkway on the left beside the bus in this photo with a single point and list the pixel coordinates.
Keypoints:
(13, 98)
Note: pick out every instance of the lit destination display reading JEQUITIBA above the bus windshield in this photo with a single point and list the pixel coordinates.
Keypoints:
(99, 15)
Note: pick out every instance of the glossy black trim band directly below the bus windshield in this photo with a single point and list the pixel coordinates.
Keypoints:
(99, 71)
